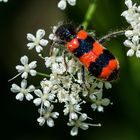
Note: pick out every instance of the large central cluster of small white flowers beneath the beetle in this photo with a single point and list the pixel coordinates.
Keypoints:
(66, 84)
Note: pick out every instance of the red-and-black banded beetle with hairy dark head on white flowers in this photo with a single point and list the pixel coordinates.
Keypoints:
(100, 62)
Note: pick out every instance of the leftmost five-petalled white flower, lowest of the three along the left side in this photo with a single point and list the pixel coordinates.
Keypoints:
(23, 91)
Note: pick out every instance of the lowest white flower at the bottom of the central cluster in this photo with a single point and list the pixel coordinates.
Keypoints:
(78, 123)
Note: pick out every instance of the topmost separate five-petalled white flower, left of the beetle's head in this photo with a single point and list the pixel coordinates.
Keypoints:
(37, 41)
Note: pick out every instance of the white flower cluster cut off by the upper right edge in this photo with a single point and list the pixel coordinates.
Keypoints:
(132, 16)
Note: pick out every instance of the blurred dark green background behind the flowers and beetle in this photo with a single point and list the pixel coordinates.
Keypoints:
(120, 121)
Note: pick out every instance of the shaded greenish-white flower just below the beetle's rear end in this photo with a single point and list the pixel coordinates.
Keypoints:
(98, 102)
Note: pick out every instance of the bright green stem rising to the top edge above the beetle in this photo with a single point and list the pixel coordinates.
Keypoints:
(89, 14)
